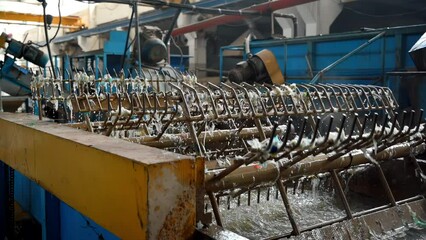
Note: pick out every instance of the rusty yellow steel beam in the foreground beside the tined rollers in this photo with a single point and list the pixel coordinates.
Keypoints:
(134, 191)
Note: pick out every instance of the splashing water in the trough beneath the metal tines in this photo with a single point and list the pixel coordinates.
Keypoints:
(313, 206)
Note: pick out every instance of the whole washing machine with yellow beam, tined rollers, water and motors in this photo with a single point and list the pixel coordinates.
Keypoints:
(152, 153)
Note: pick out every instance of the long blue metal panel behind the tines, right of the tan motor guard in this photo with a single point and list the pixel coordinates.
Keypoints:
(388, 53)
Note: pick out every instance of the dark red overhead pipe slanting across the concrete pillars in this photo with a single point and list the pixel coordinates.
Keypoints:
(263, 8)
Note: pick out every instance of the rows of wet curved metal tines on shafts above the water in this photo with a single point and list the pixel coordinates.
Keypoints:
(253, 139)
